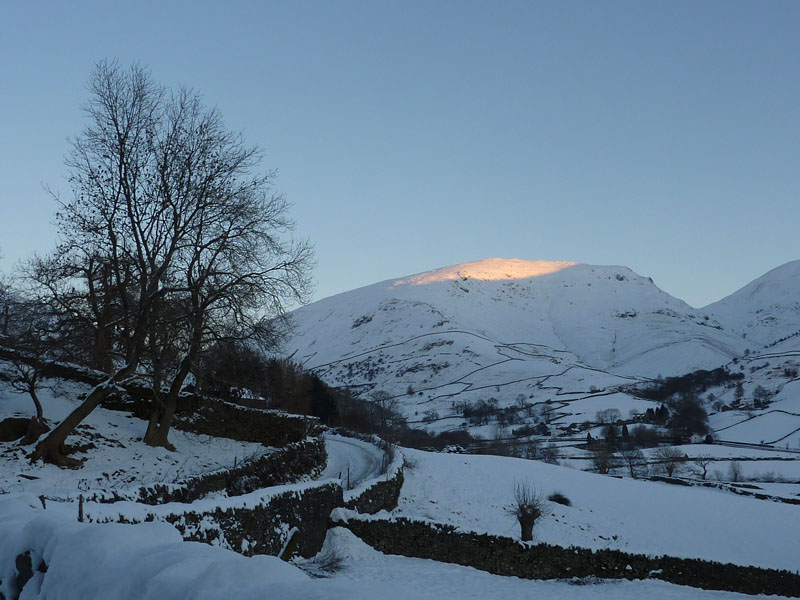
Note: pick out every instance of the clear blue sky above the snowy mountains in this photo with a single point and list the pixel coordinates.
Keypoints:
(664, 136)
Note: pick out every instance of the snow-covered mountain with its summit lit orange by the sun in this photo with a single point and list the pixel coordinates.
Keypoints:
(501, 328)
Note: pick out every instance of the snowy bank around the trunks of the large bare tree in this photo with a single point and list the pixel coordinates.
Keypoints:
(116, 460)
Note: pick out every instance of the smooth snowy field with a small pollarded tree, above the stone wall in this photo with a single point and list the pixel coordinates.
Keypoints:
(474, 493)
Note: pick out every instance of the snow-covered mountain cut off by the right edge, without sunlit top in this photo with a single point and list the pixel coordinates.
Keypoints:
(766, 310)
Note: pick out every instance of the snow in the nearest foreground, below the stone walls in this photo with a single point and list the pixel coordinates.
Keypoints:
(150, 562)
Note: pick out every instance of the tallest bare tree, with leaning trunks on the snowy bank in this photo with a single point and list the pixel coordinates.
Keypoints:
(165, 196)
